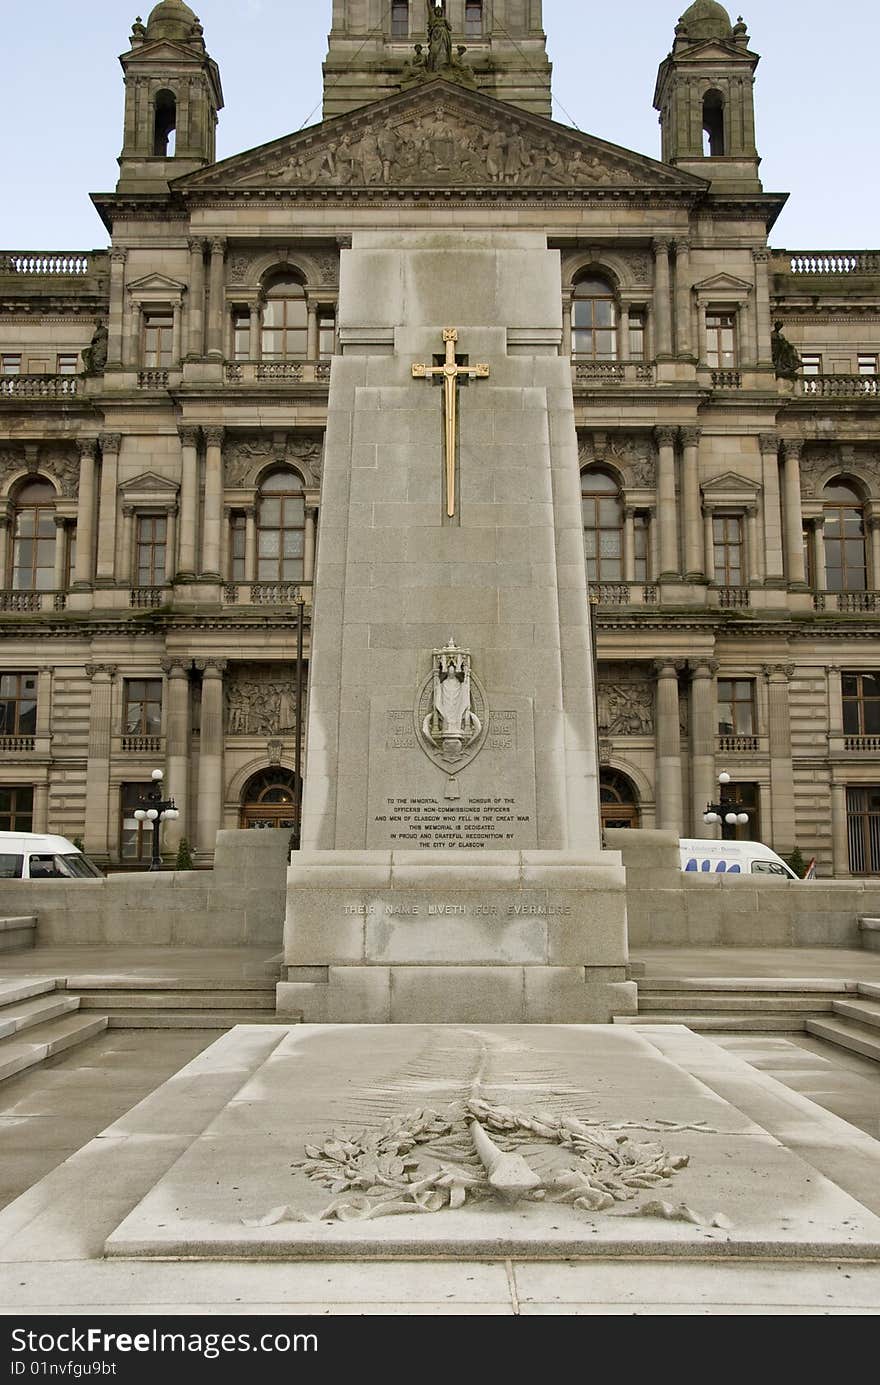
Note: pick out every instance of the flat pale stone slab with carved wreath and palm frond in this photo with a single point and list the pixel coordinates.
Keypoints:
(484, 1142)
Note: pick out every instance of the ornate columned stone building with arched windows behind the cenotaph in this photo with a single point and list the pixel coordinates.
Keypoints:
(163, 408)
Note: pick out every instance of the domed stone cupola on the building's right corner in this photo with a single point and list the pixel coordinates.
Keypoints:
(706, 100)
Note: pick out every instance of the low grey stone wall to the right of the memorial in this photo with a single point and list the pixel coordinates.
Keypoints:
(669, 908)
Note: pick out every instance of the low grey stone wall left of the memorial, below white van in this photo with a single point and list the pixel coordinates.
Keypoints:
(239, 904)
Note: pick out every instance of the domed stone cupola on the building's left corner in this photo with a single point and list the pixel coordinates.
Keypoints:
(173, 98)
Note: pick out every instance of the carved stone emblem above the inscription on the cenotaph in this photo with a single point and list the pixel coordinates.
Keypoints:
(451, 714)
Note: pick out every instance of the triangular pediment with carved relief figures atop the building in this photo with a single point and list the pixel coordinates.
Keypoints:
(439, 135)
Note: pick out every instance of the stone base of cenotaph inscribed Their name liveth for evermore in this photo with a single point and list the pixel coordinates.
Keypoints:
(457, 938)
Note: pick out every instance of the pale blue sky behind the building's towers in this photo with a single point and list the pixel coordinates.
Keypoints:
(817, 100)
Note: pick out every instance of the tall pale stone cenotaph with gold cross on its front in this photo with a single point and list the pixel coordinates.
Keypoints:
(451, 866)
